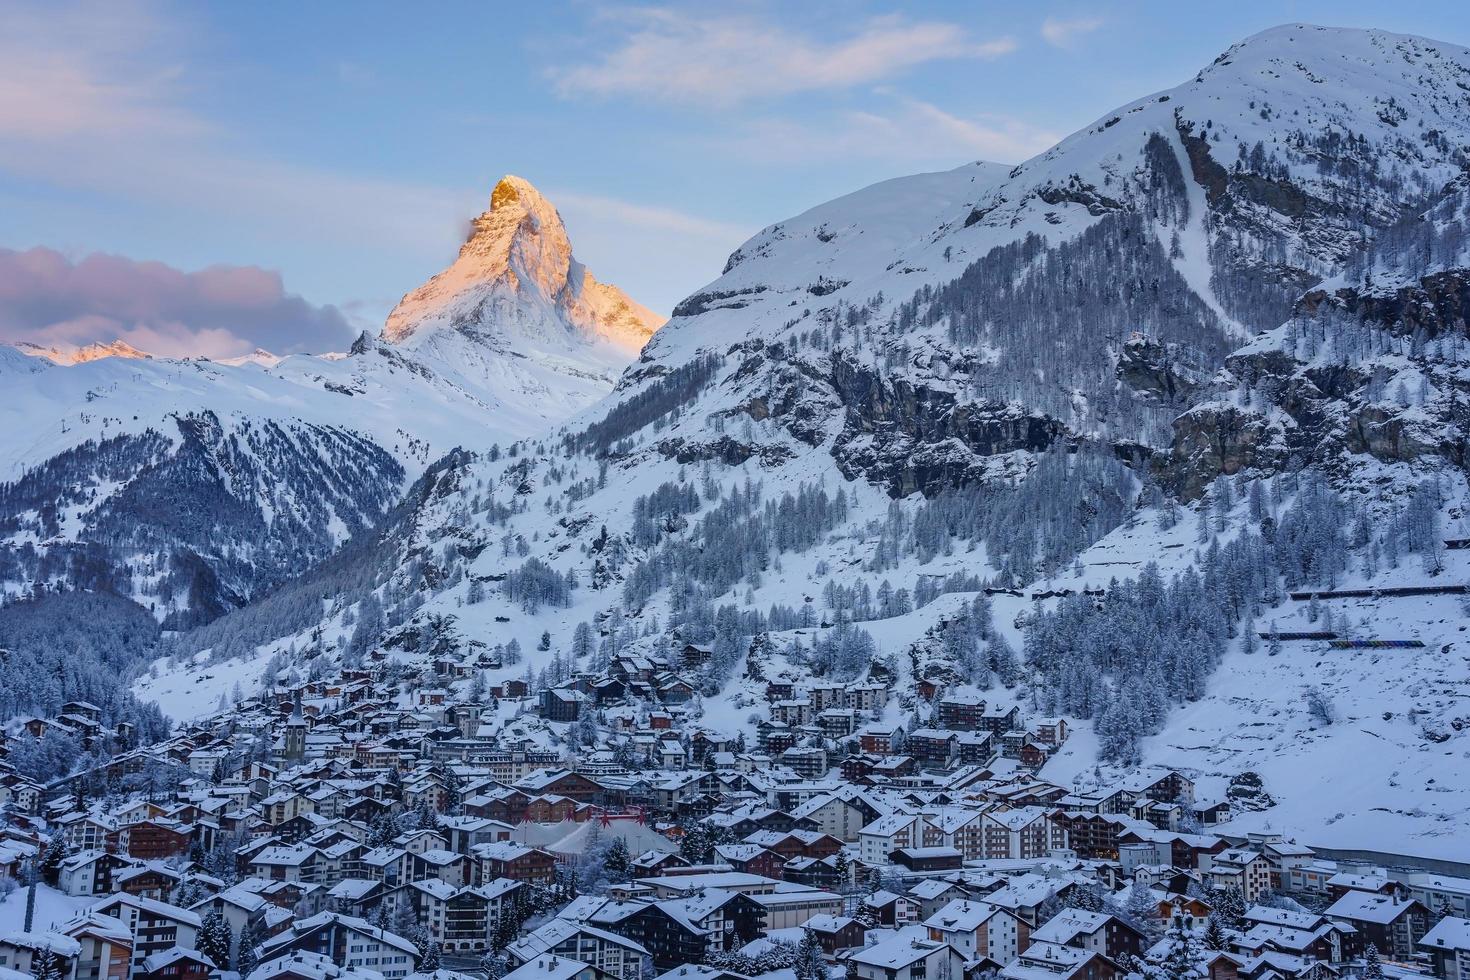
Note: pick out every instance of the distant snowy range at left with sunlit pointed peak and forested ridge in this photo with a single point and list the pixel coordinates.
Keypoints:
(274, 462)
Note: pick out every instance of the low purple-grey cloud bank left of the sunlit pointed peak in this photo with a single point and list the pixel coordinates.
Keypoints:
(218, 312)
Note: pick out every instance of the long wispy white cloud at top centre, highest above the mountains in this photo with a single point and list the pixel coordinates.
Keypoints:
(684, 58)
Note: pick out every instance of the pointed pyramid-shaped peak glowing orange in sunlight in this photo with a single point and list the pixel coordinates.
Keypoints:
(518, 287)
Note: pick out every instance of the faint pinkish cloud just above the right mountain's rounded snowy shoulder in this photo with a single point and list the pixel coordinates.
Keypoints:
(912, 134)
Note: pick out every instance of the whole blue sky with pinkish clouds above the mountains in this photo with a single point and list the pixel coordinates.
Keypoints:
(209, 179)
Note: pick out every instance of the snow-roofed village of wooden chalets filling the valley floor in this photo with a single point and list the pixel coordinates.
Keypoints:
(405, 819)
